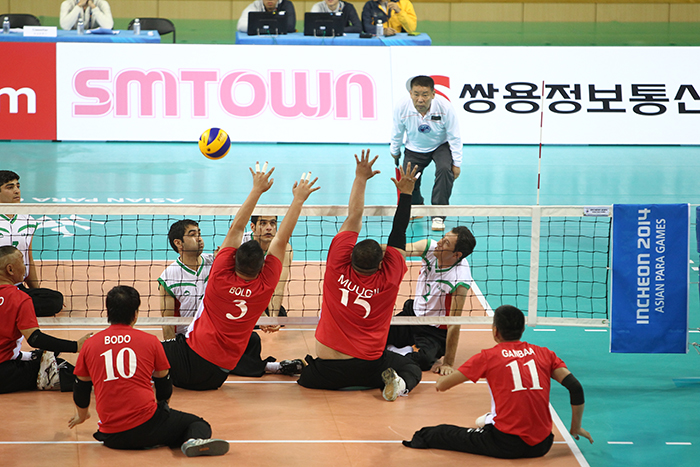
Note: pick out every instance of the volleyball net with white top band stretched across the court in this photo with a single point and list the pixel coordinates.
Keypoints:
(550, 261)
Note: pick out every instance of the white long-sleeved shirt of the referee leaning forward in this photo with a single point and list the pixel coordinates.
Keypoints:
(425, 134)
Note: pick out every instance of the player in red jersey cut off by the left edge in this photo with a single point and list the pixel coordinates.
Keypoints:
(19, 370)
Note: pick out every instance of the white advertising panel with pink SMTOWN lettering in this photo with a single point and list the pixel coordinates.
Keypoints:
(257, 93)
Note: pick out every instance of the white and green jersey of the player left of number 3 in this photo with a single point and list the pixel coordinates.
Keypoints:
(186, 286)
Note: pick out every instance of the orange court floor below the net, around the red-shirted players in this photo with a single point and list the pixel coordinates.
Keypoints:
(271, 421)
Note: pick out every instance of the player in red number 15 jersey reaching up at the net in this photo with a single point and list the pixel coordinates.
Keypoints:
(360, 286)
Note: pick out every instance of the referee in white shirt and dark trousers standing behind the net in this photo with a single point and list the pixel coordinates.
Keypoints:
(432, 134)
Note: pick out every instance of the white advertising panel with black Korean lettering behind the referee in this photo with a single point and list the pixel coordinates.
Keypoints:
(582, 95)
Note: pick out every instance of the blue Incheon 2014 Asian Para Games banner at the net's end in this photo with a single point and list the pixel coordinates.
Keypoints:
(650, 277)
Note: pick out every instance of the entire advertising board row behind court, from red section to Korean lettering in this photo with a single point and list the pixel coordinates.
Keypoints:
(329, 94)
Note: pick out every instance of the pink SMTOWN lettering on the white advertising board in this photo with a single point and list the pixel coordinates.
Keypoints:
(103, 91)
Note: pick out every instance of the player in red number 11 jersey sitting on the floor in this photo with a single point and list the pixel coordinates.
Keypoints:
(518, 374)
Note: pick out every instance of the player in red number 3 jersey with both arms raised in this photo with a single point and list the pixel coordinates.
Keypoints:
(241, 283)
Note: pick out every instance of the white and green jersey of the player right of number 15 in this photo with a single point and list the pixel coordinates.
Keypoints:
(435, 286)
